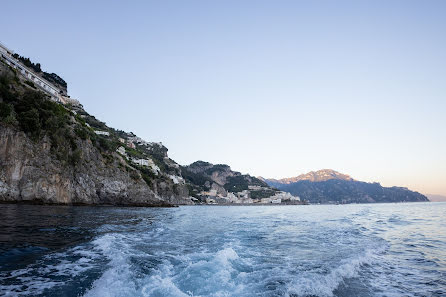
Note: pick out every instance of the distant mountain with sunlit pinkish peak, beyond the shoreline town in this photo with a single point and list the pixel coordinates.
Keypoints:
(329, 186)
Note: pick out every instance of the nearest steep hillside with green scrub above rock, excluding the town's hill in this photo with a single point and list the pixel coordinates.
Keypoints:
(59, 154)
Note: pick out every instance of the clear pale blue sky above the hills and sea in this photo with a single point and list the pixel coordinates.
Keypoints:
(271, 88)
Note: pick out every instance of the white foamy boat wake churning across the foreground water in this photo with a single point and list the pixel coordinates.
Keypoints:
(214, 274)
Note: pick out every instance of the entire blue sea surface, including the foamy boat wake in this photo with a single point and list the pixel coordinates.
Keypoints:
(315, 250)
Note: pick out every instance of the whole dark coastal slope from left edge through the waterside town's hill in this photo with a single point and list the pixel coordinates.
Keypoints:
(54, 152)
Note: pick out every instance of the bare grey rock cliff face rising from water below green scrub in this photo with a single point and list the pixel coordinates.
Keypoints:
(30, 173)
